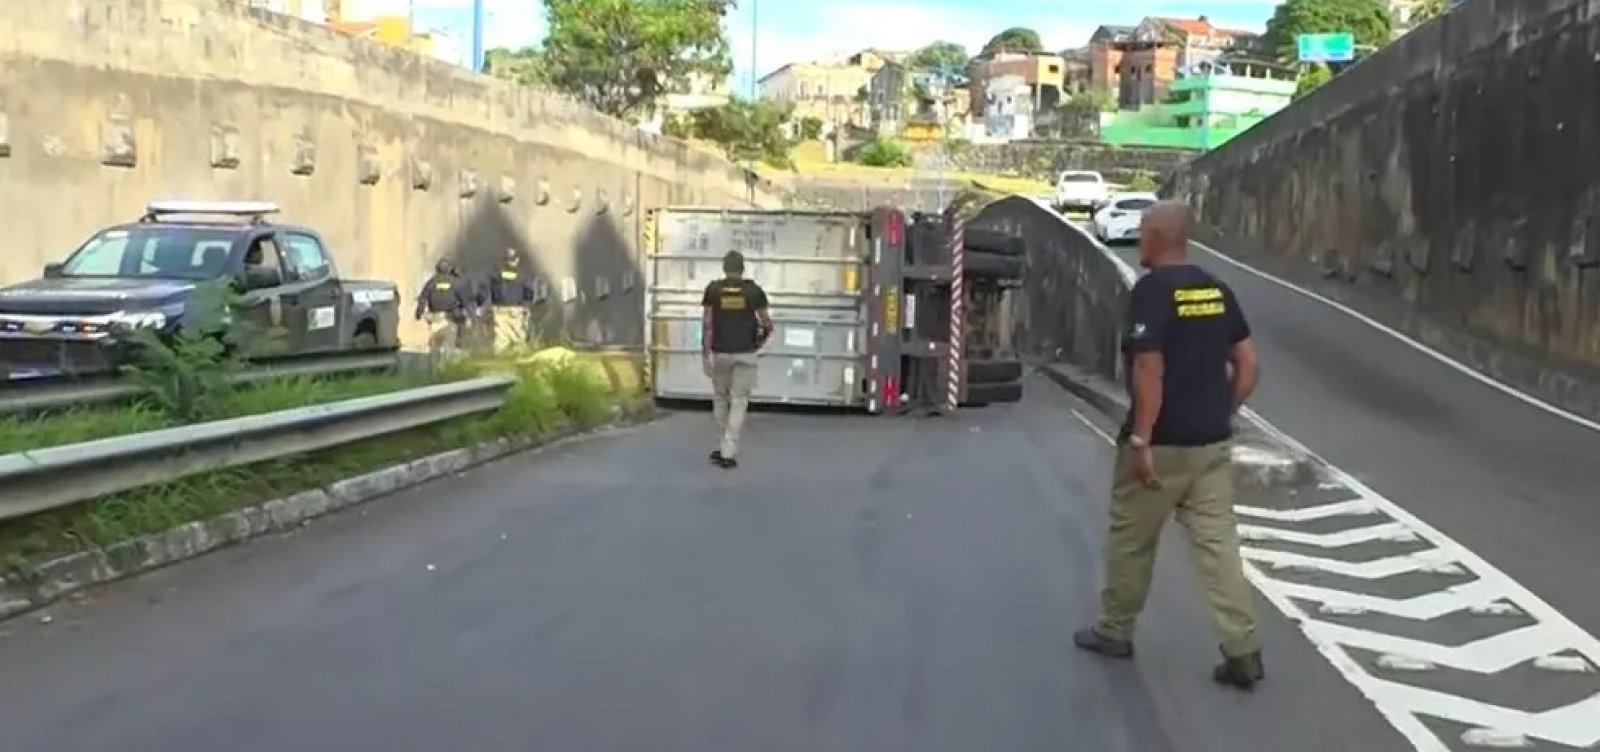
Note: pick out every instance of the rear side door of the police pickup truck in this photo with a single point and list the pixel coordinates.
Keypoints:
(314, 294)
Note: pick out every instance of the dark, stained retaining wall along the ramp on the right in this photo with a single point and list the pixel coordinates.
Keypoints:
(1457, 177)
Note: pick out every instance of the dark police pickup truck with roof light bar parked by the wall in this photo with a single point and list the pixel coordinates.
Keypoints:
(138, 276)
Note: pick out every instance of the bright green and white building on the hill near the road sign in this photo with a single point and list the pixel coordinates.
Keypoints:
(1207, 106)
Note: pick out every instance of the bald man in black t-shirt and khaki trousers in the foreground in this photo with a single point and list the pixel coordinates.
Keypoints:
(1191, 366)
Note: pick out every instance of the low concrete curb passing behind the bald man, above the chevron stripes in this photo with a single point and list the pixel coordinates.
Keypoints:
(1260, 457)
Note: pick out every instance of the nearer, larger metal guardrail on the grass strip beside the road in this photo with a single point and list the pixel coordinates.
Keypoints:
(62, 476)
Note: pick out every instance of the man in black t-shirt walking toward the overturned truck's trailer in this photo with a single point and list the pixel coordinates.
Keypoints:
(737, 324)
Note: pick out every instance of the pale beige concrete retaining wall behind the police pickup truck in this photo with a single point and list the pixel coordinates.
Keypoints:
(399, 161)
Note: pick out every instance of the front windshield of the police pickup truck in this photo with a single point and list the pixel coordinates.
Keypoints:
(156, 252)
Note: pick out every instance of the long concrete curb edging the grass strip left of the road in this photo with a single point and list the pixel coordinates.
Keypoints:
(54, 580)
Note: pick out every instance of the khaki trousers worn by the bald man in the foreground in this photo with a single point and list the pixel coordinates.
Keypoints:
(1198, 487)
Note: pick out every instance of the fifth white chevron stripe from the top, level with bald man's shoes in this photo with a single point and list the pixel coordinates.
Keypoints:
(1490, 655)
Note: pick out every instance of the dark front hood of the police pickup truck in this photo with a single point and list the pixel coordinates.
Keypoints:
(89, 295)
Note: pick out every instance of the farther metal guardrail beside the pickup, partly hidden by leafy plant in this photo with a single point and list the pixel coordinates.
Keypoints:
(26, 396)
